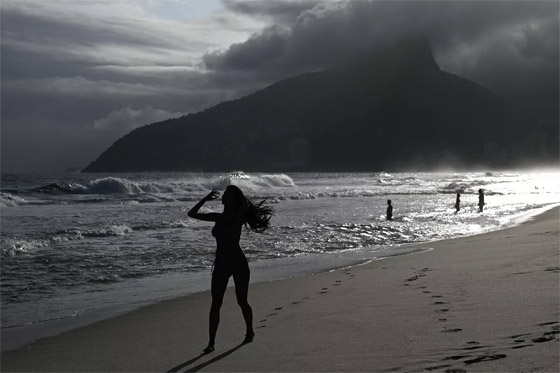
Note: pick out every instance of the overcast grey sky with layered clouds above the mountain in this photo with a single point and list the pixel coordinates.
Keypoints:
(77, 75)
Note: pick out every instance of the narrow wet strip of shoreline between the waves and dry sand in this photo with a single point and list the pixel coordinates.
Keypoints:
(16, 337)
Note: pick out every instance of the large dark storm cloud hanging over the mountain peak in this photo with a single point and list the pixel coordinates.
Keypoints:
(480, 40)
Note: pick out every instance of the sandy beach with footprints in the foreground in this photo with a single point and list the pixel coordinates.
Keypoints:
(485, 303)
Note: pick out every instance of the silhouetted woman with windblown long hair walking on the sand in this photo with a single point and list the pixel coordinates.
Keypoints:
(230, 260)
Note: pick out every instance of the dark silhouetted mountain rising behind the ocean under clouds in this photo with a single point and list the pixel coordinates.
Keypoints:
(390, 109)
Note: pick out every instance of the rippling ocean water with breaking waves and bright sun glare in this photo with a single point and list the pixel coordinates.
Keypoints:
(77, 243)
